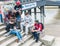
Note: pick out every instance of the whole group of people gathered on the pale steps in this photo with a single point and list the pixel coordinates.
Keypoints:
(15, 24)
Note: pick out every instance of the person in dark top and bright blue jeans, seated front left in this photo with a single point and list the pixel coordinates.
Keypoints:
(12, 30)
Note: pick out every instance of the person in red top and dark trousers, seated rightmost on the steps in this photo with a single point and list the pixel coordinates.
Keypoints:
(37, 28)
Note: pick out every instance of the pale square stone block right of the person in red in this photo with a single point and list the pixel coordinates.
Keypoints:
(48, 40)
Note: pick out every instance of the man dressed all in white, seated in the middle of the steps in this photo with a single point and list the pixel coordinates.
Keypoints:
(27, 23)
